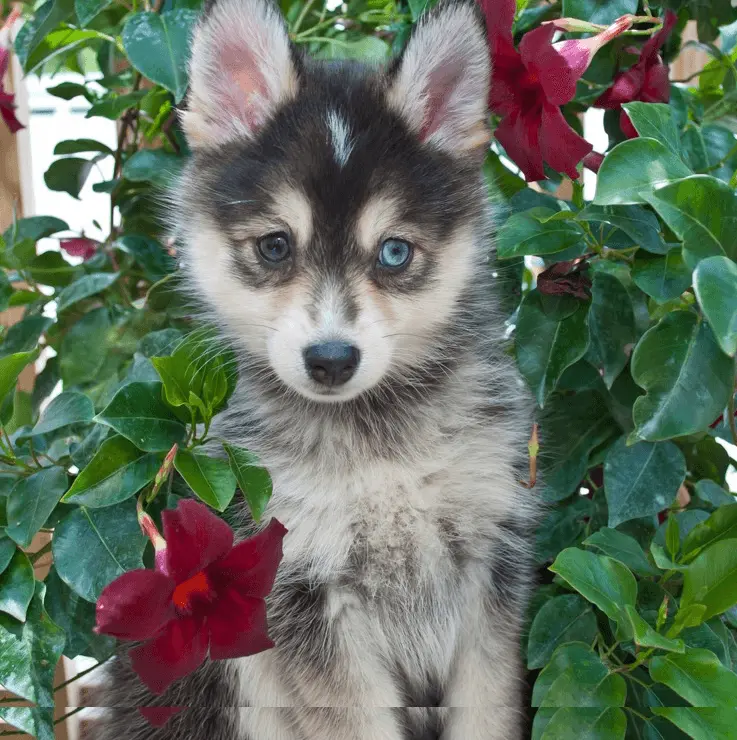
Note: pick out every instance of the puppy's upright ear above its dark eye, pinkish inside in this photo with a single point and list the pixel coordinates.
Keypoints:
(241, 69)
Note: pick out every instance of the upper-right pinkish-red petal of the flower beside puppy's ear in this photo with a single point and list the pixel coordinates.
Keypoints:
(555, 76)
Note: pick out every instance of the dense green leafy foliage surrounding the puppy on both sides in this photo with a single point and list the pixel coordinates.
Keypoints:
(625, 328)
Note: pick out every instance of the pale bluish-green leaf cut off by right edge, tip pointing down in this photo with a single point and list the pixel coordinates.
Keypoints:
(715, 283)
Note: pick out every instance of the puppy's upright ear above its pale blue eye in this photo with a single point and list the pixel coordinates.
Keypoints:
(441, 83)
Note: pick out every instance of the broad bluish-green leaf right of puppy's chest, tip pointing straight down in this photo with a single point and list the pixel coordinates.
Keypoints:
(641, 480)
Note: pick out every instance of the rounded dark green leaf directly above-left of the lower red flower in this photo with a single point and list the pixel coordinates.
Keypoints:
(92, 547)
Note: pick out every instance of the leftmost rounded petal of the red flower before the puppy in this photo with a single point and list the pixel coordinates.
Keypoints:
(136, 605)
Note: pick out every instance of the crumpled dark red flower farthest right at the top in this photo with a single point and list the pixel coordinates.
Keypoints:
(646, 80)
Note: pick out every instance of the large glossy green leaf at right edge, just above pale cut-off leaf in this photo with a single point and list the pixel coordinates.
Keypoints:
(702, 211)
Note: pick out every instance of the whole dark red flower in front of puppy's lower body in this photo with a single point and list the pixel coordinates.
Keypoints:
(204, 595)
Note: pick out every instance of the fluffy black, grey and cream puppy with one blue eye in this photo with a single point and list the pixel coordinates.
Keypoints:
(337, 229)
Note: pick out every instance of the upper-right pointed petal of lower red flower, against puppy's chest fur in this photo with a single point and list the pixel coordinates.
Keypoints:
(250, 567)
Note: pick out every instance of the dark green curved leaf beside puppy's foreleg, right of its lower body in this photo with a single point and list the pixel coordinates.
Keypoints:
(563, 619)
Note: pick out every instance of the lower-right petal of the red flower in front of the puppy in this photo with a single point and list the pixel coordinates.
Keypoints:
(238, 628)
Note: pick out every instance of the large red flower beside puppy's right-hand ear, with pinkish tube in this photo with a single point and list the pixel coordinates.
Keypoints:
(528, 86)
